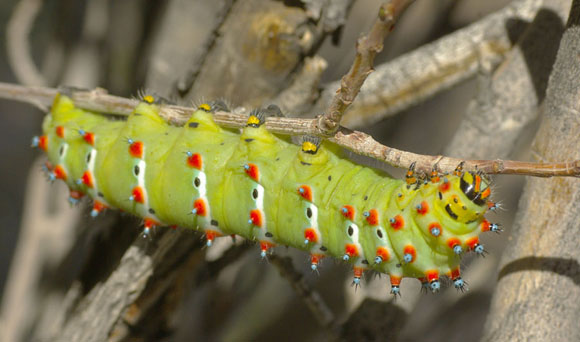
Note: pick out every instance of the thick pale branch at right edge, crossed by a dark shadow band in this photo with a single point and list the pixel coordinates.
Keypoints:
(538, 294)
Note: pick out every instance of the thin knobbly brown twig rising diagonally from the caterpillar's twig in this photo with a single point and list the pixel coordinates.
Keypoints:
(367, 48)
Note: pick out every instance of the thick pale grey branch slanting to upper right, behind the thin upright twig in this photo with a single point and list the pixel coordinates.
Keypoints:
(432, 68)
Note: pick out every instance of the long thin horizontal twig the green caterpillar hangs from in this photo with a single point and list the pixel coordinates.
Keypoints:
(358, 142)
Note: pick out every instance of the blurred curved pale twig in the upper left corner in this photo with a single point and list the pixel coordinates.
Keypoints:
(18, 49)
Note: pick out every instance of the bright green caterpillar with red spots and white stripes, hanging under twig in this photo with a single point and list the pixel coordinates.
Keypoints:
(260, 186)
